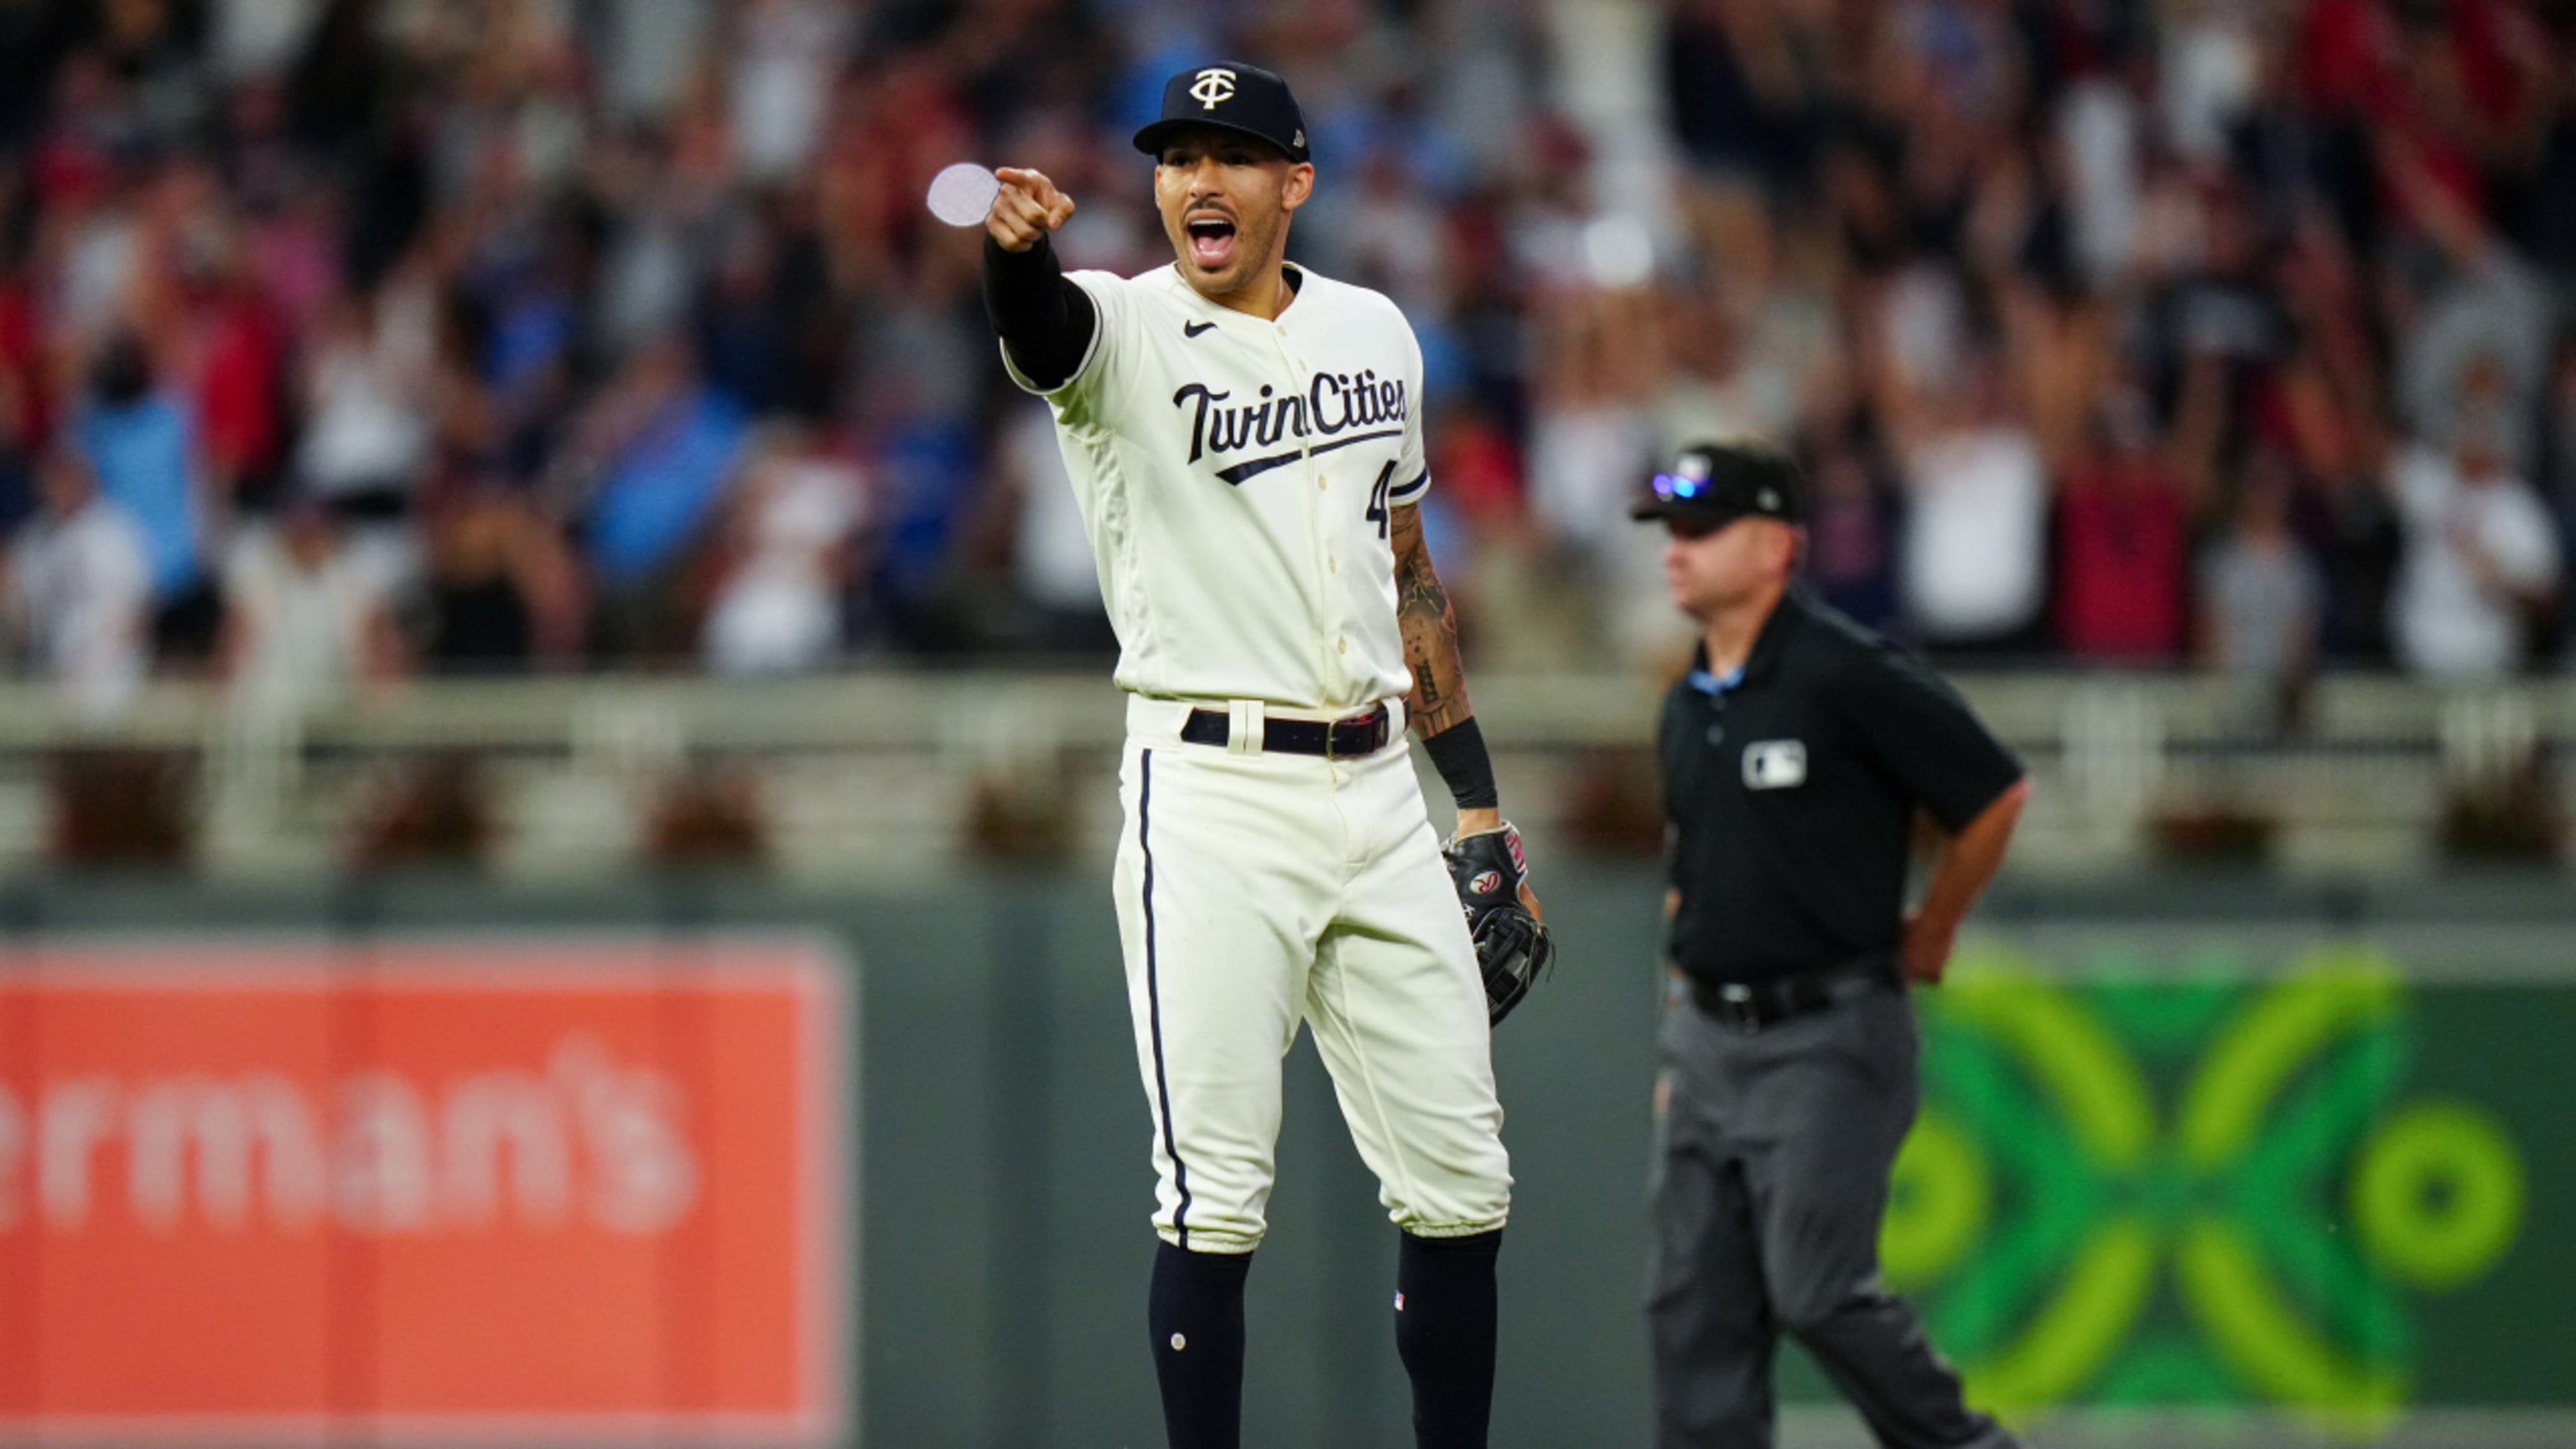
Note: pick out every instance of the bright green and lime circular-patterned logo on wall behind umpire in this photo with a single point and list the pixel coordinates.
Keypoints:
(2242, 1149)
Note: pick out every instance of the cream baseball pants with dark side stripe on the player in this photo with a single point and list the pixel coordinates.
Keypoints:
(1266, 891)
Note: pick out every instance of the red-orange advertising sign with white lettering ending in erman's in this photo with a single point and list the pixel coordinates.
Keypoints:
(421, 1192)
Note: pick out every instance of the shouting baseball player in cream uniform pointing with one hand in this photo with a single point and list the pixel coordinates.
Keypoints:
(1245, 445)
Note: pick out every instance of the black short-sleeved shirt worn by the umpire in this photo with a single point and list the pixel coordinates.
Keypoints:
(1792, 795)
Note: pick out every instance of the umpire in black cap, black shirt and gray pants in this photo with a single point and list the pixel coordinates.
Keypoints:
(1797, 757)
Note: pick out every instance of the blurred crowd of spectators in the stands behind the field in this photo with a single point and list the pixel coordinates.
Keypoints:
(359, 339)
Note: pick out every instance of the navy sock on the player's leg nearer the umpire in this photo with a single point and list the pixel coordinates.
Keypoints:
(1446, 1337)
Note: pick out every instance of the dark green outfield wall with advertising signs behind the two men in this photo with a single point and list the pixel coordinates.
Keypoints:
(2199, 1167)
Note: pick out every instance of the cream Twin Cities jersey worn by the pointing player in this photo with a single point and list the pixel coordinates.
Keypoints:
(1238, 476)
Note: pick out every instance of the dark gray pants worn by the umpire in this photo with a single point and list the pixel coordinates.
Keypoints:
(1768, 1185)
